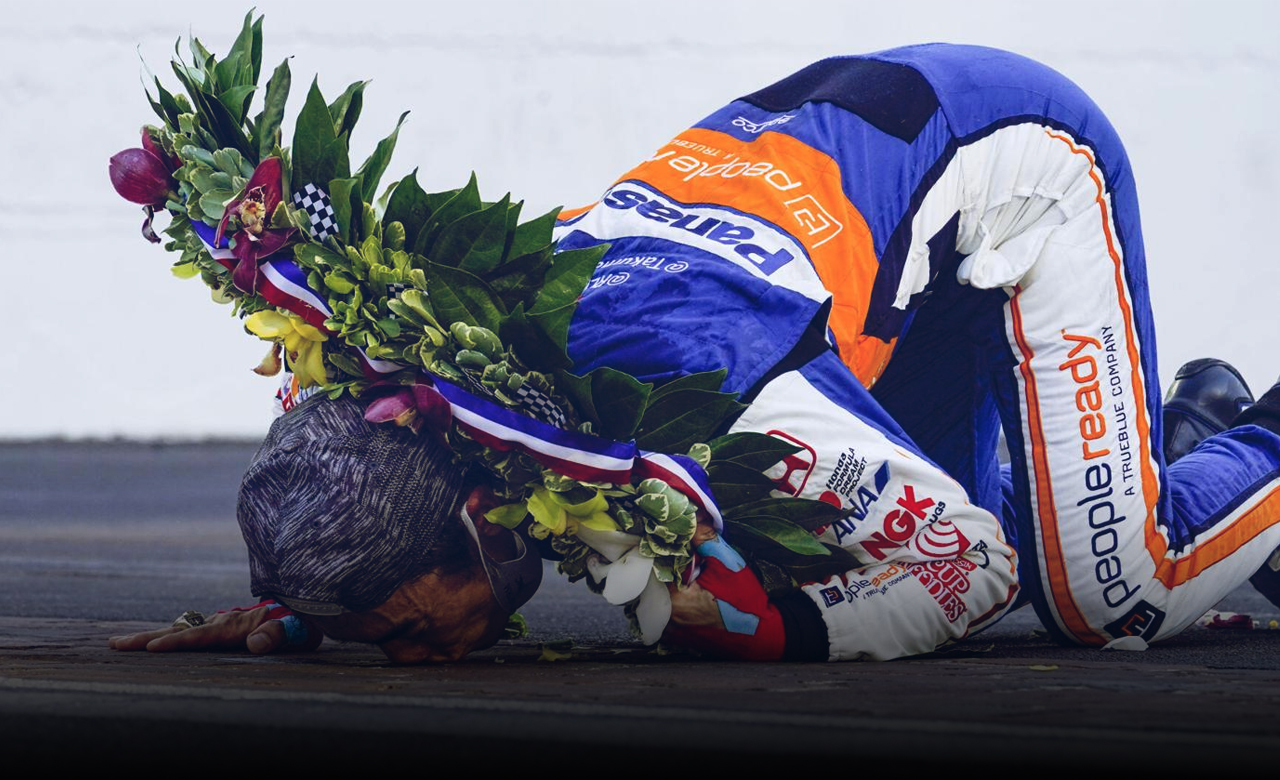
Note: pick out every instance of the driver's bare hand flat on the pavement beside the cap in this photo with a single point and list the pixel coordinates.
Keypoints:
(260, 630)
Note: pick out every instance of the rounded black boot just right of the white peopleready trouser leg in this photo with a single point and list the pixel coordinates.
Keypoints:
(1206, 398)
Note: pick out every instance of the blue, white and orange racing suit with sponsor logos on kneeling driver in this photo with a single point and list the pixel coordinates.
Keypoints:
(895, 256)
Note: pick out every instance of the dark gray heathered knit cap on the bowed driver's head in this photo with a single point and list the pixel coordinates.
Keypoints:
(339, 513)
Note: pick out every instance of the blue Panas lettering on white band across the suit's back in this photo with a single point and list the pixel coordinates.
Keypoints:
(720, 231)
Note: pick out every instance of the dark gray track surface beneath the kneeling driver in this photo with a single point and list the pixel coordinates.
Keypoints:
(108, 539)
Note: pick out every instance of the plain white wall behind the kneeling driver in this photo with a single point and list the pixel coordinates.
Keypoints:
(552, 101)
